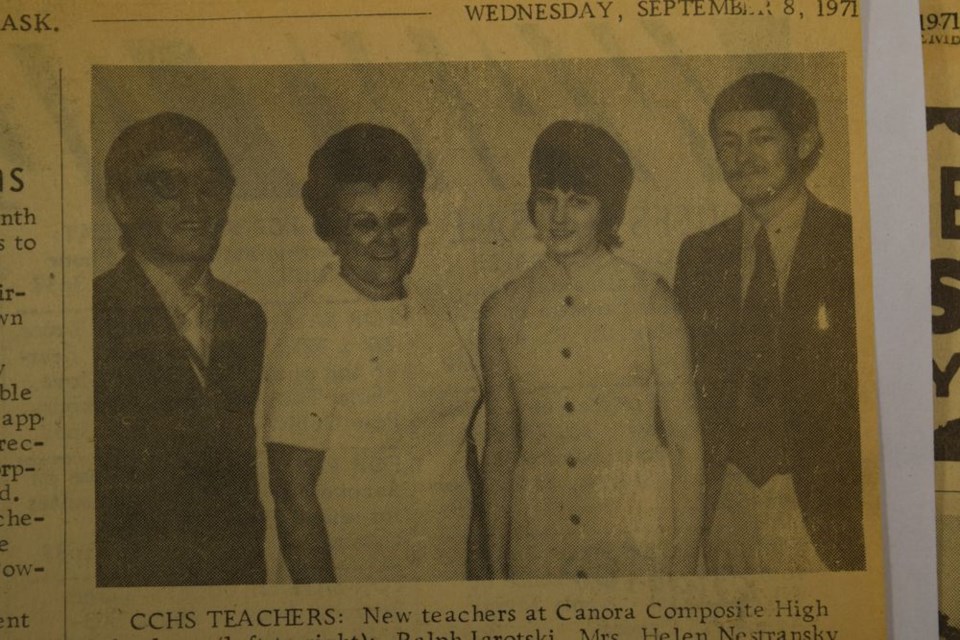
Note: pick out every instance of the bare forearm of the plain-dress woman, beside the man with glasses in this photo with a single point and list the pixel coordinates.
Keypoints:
(303, 535)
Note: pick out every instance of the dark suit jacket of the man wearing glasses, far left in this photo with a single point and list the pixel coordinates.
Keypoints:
(176, 485)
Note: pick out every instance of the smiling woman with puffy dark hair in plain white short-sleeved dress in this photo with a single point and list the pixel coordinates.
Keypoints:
(370, 390)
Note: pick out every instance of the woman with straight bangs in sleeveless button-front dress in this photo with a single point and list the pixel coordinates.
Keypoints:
(580, 355)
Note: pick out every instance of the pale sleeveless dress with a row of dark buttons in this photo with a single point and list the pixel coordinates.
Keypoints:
(592, 490)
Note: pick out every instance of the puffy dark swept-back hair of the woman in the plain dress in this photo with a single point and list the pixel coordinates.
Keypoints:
(362, 153)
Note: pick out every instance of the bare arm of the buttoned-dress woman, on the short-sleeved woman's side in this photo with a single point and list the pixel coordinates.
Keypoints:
(502, 438)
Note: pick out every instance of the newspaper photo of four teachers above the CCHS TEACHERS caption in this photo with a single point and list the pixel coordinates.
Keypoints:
(478, 320)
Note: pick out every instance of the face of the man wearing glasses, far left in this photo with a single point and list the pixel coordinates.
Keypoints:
(175, 205)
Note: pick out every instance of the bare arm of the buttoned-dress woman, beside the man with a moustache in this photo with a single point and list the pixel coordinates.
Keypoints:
(678, 406)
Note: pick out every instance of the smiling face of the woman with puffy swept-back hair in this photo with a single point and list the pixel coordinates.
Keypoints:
(378, 243)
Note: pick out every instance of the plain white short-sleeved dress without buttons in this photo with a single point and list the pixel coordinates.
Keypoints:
(386, 390)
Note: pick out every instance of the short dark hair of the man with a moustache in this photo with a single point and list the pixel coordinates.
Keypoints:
(794, 107)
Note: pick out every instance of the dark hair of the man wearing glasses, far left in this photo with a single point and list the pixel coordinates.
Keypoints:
(162, 132)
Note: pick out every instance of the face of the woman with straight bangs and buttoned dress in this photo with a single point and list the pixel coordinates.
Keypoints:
(566, 221)
